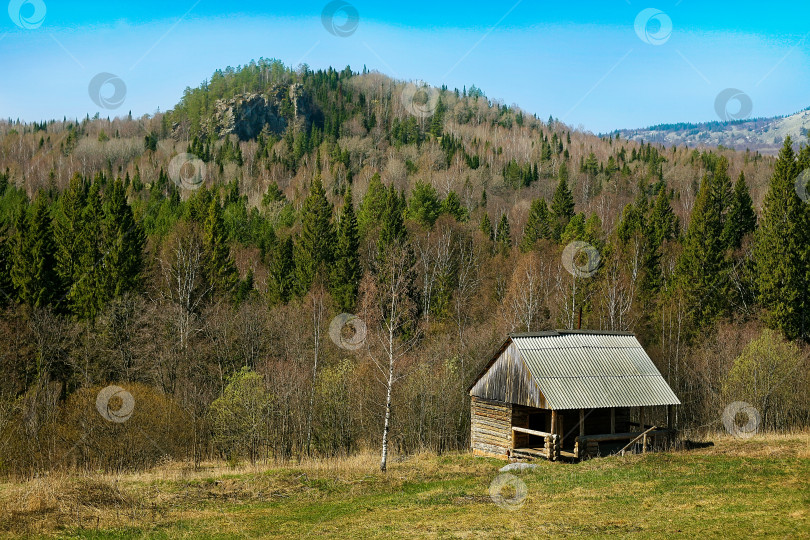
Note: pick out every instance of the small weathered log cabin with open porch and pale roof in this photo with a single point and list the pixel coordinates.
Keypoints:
(571, 394)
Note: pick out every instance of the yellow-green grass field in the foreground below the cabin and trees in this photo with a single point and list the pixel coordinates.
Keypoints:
(758, 487)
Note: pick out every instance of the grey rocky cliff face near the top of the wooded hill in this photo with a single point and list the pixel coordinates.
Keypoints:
(246, 115)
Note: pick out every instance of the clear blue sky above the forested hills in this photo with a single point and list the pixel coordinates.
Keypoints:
(582, 62)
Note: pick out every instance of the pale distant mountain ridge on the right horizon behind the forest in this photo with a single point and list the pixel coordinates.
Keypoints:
(765, 135)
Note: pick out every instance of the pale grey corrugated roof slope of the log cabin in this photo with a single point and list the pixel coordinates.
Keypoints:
(576, 370)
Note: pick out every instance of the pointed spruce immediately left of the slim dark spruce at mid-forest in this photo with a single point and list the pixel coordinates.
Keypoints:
(314, 250)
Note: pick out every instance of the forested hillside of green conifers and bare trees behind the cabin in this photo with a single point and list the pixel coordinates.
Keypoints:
(198, 258)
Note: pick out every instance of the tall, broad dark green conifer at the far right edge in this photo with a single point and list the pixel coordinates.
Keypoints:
(781, 250)
